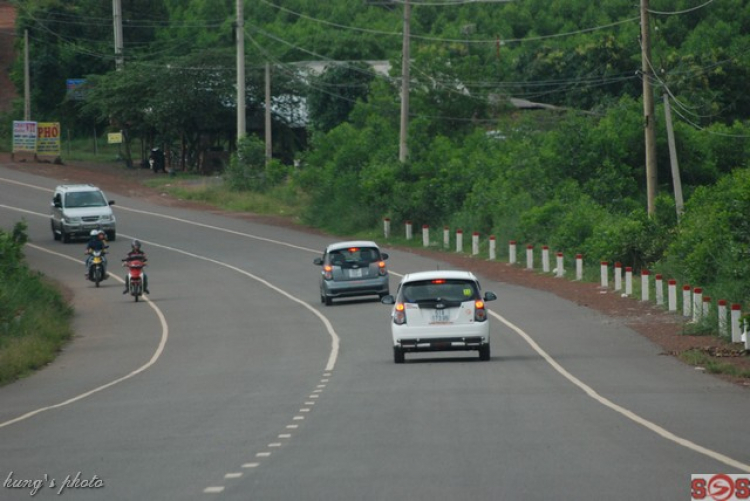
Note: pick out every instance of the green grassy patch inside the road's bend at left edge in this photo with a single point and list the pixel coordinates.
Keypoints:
(35, 323)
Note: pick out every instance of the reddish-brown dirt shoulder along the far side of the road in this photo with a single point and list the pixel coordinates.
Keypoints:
(665, 329)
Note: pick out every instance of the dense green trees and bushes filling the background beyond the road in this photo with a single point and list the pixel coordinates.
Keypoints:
(525, 120)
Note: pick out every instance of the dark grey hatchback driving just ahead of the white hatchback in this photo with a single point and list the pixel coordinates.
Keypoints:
(352, 268)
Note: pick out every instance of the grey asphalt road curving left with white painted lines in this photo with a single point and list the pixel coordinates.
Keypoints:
(234, 382)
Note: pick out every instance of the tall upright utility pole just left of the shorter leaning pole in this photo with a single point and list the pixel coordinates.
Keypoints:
(648, 110)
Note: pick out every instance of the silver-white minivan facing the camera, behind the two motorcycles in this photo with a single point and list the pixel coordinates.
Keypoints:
(76, 209)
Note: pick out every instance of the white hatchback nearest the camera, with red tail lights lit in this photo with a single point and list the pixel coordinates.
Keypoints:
(439, 311)
